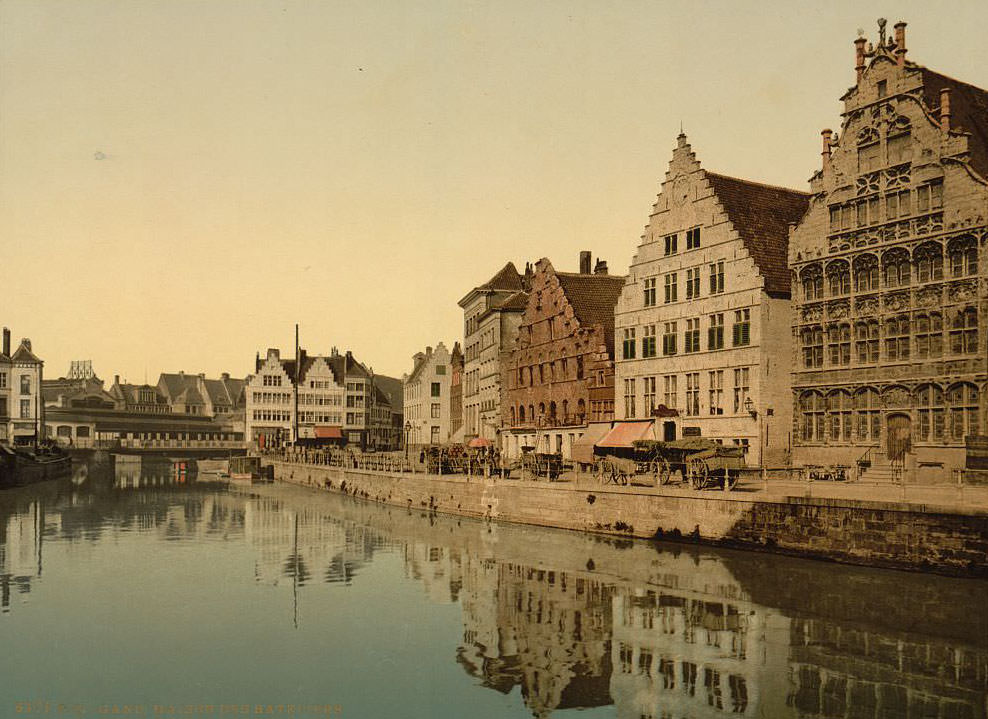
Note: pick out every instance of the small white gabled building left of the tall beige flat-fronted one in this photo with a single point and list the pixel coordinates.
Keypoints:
(427, 396)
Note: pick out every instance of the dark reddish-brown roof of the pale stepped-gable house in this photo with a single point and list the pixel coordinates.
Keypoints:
(761, 215)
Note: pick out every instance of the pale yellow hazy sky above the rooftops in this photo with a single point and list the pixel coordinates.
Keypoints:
(183, 181)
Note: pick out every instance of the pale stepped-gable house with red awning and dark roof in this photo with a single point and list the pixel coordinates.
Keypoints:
(702, 323)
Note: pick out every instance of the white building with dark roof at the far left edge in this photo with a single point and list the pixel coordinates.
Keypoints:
(21, 407)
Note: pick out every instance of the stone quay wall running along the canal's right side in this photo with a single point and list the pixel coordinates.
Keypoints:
(942, 537)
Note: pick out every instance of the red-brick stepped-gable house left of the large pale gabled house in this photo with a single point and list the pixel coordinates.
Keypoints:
(560, 373)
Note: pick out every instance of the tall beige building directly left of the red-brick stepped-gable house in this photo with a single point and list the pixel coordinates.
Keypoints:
(491, 316)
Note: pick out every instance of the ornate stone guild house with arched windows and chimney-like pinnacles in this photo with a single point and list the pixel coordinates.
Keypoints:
(889, 269)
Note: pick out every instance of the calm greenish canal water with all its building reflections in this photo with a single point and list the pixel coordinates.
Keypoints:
(149, 592)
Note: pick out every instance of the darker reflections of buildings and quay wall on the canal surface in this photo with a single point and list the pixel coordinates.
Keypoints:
(670, 633)
